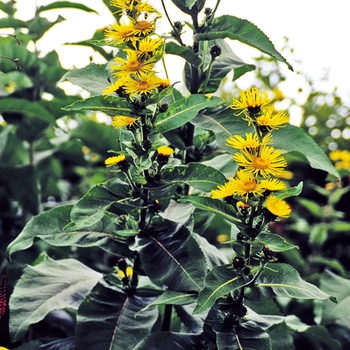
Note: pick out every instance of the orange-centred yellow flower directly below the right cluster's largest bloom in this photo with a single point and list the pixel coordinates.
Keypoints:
(245, 184)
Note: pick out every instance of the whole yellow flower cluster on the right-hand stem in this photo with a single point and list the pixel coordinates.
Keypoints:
(260, 164)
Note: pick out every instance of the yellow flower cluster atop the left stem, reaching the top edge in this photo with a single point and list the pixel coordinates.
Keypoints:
(139, 50)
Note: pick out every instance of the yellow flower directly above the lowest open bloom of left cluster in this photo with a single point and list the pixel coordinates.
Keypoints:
(132, 65)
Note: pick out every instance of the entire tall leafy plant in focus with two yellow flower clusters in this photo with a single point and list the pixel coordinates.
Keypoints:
(179, 162)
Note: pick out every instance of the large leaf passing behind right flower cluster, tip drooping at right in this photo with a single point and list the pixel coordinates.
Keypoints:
(289, 139)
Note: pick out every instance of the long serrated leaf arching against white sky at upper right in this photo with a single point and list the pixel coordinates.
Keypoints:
(246, 32)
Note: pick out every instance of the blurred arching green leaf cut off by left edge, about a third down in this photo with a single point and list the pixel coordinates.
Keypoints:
(26, 108)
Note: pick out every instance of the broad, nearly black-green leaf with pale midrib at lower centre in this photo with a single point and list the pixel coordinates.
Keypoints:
(169, 250)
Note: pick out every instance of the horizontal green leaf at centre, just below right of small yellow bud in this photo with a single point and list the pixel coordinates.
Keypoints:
(199, 176)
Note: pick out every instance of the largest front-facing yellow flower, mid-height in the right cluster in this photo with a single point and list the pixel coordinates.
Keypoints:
(268, 162)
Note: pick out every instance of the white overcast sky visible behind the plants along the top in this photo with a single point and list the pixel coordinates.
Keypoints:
(317, 30)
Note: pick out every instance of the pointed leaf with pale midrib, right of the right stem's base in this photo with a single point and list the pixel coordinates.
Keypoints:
(284, 281)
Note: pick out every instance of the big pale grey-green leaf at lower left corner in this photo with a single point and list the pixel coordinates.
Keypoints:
(51, 285)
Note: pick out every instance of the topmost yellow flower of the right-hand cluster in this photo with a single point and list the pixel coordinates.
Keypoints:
(251, 102)
